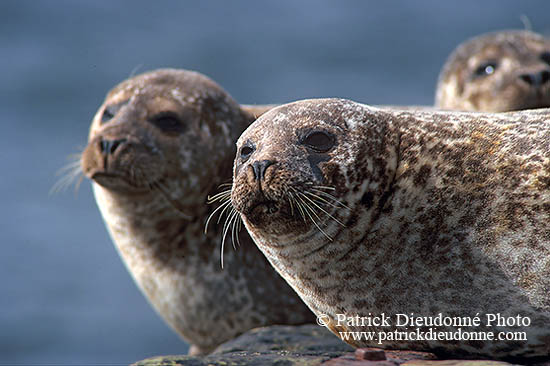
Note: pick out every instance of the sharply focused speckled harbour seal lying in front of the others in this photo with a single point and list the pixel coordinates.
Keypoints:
(375, 213)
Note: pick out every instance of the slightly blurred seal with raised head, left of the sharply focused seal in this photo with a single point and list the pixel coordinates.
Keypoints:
(158, 146)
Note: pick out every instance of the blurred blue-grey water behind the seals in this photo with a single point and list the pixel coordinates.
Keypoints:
(65, 296)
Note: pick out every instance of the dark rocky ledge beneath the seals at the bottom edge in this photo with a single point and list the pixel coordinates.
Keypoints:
(307, 345)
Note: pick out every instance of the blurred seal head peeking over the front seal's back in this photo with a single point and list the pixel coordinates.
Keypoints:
(497, 72)
